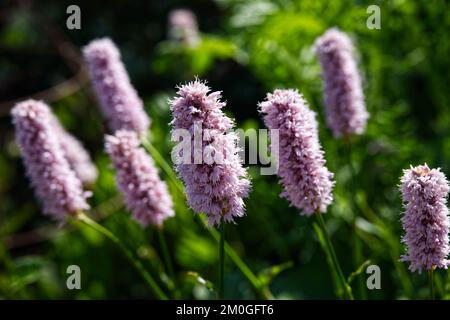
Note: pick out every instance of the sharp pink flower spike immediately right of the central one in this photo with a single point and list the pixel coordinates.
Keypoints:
(307, 182)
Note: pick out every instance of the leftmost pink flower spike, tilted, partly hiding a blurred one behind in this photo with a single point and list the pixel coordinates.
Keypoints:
(56, 184)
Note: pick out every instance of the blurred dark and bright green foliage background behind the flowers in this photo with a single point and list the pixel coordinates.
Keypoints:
(248, 47)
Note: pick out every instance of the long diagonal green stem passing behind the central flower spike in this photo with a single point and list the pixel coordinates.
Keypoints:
(262, 291)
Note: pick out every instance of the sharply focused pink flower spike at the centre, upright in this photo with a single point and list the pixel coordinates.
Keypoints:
(216, 189)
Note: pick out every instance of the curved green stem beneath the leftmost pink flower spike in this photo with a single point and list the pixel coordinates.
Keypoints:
(136, 263)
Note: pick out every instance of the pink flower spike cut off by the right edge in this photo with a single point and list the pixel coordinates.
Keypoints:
(425, 219)
